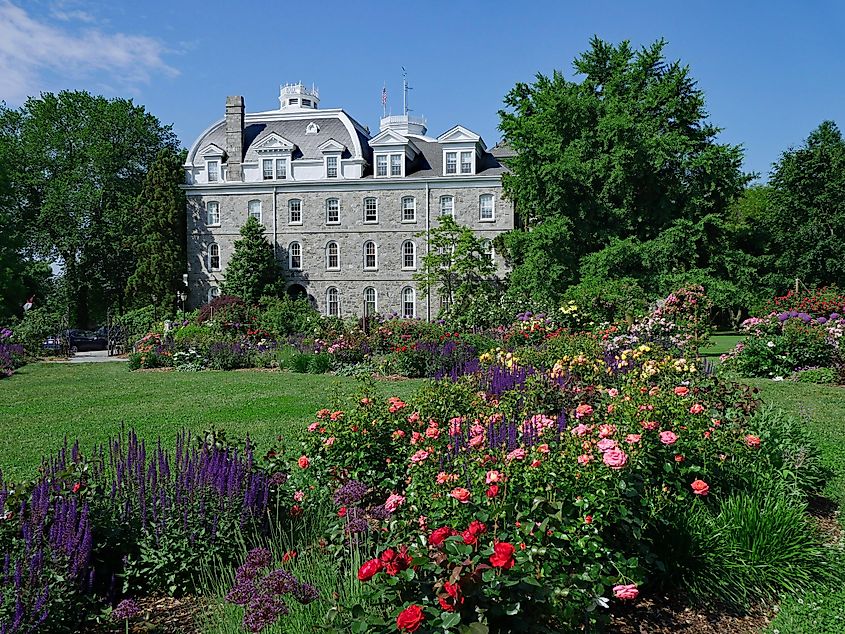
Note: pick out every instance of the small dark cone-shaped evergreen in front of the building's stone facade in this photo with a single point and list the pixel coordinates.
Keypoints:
(253, 270)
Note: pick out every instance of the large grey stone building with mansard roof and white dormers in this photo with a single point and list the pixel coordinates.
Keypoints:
(345, 211)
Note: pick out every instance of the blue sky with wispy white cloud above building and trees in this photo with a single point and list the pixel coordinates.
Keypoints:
(772, 71)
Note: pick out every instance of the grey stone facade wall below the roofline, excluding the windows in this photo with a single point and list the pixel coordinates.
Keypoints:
(389, 233)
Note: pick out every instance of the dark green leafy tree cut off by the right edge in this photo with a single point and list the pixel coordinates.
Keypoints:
(807, 211)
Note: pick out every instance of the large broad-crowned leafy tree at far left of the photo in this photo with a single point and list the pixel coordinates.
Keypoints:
(79, 165)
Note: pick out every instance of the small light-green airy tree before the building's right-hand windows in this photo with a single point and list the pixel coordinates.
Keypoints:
(460, 270)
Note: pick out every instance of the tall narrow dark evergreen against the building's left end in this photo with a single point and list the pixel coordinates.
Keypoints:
(160, 250)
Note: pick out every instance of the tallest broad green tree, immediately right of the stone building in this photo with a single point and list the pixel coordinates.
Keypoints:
(622, 154)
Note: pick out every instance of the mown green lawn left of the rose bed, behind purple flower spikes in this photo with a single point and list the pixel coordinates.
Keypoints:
(41, 403)
